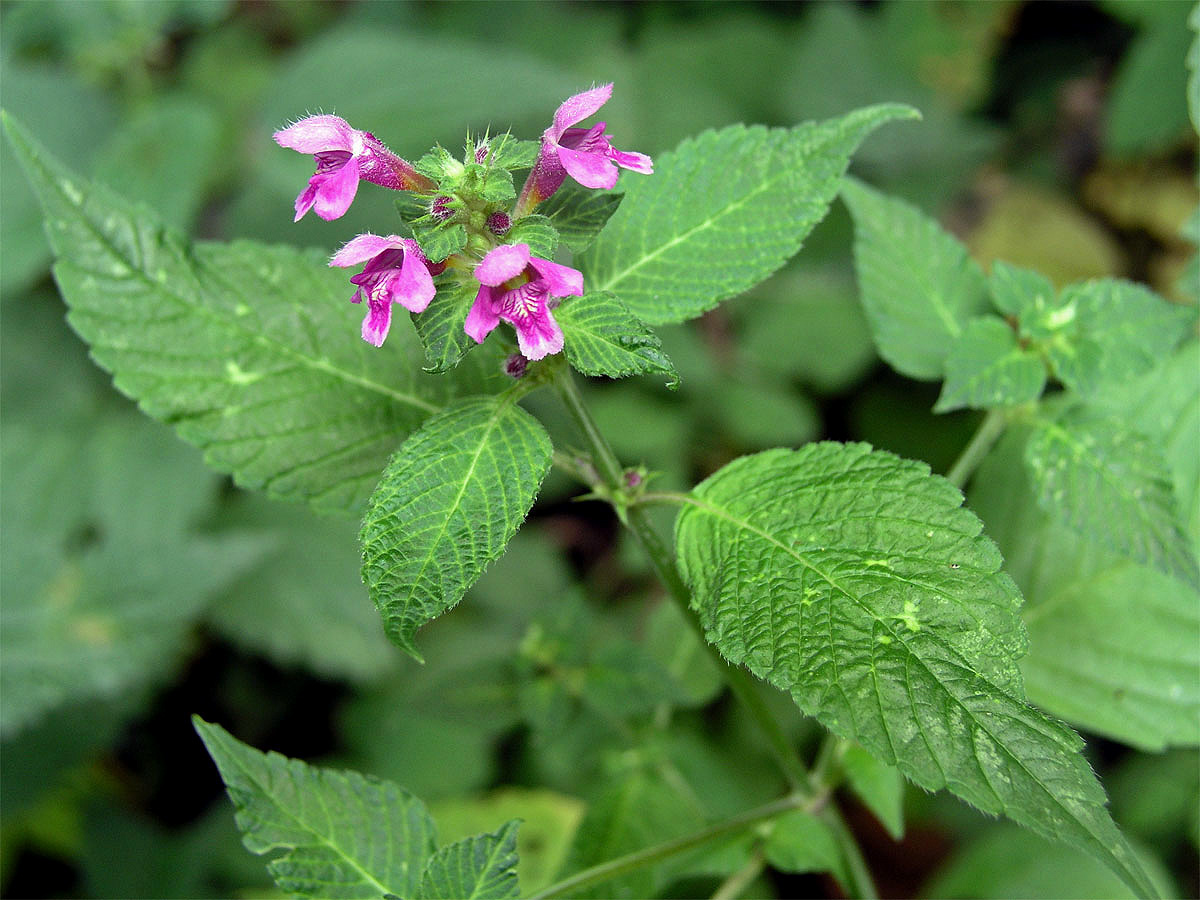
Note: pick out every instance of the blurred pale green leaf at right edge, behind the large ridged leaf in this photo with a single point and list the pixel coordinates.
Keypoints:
(1114, 646)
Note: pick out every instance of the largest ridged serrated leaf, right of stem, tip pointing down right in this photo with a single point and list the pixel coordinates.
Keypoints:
(856, 581)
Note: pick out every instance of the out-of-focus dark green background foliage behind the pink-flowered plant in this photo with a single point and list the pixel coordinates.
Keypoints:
(140, 587)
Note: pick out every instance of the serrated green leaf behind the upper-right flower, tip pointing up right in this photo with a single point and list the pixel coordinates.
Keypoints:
(723, 212)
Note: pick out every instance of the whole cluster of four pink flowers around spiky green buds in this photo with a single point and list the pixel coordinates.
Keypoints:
(463, 213)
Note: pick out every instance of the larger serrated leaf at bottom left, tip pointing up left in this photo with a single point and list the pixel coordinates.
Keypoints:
(343, 835)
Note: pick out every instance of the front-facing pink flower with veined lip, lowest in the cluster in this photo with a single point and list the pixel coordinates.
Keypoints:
(519, 289)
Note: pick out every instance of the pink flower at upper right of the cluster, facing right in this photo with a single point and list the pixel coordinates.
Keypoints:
(584, 154)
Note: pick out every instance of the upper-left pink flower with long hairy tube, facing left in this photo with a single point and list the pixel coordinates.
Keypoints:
(344, 157)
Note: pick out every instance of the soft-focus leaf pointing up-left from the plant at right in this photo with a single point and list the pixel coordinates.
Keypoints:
(920, 287)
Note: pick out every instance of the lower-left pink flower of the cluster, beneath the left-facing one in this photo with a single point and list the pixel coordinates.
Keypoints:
(395, 273)
